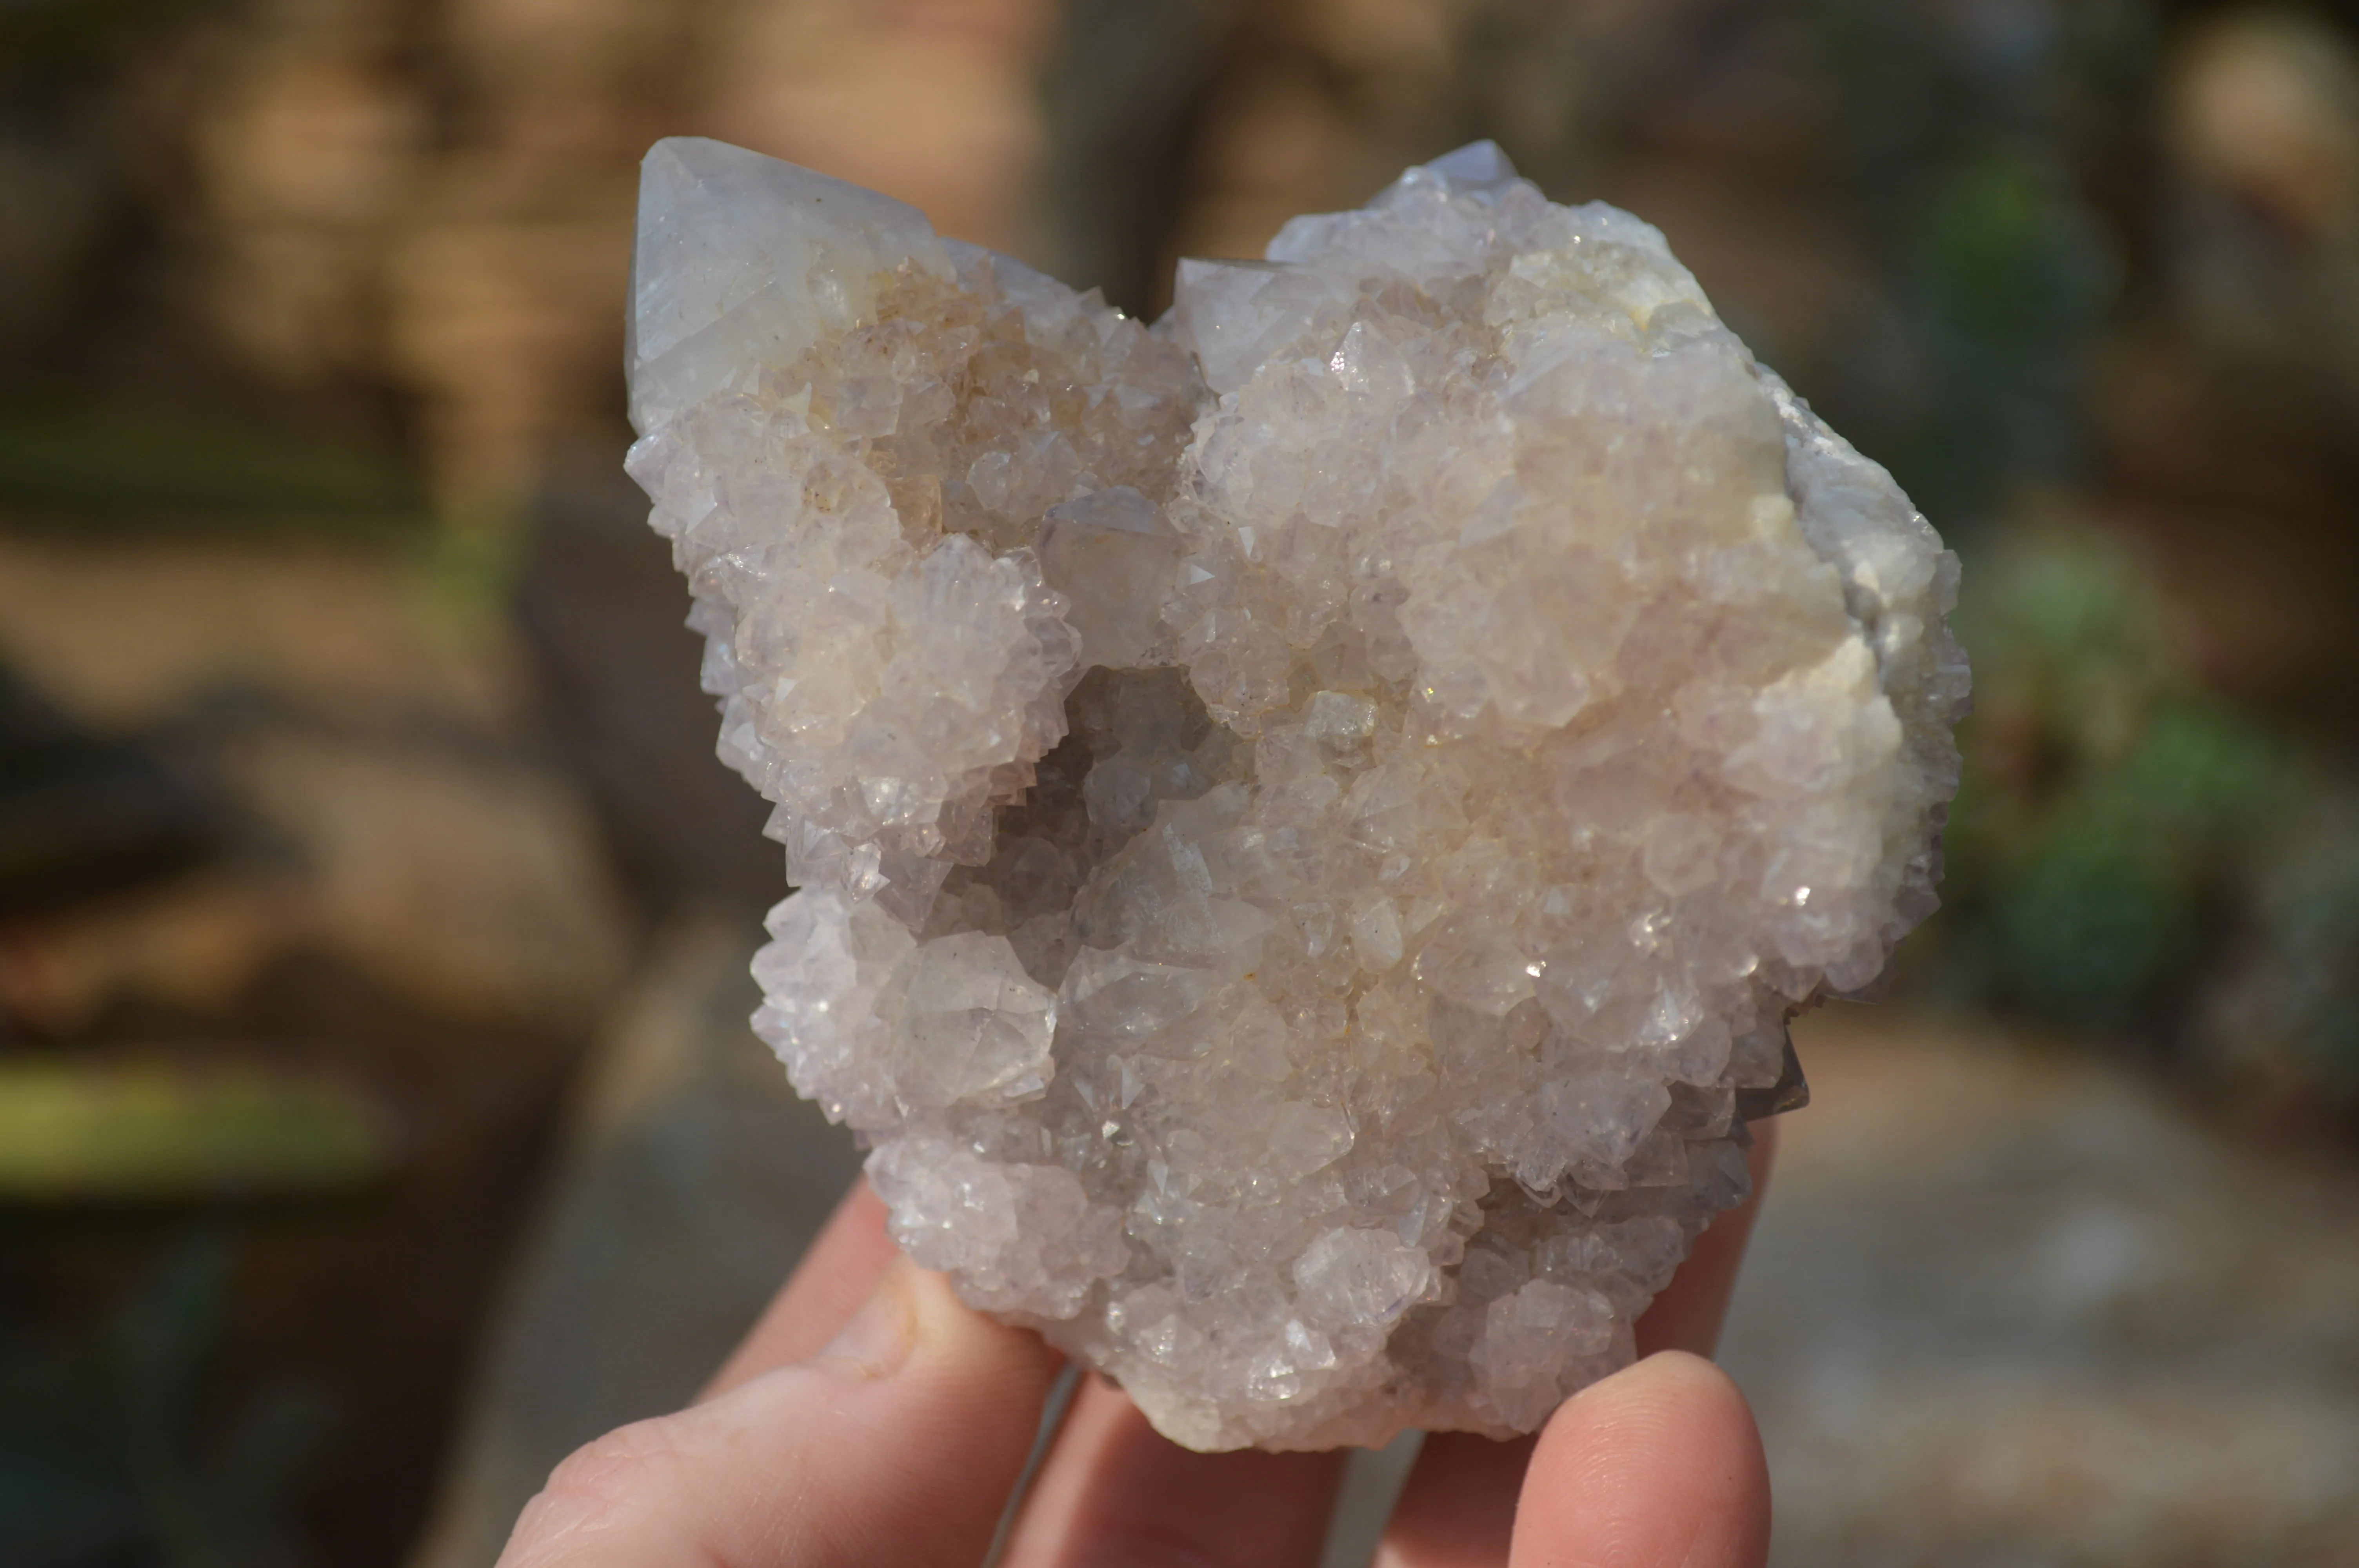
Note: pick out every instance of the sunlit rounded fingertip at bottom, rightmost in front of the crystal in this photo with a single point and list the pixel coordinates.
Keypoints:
(1652, 1468)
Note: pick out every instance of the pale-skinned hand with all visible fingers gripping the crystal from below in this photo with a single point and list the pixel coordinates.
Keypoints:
(872, 1421)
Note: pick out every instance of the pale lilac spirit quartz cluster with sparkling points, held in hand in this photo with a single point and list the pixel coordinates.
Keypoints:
(1310, 817)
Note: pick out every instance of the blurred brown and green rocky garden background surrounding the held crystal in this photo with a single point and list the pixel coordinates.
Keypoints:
(376, 1105)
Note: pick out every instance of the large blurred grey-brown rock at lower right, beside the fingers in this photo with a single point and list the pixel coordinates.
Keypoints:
(2063, 1322)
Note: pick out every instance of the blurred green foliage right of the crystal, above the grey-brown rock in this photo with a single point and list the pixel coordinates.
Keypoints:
(2112, 838)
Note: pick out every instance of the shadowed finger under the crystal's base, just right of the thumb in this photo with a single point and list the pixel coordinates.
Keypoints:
(1115, 1491)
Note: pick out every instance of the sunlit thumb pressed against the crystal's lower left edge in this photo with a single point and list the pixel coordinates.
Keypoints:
(898, 1444)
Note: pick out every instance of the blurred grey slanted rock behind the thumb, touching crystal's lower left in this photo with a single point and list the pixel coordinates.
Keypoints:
(692, 1185)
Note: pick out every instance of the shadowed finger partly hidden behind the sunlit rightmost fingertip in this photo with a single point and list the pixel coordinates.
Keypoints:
(1459, 1501)
